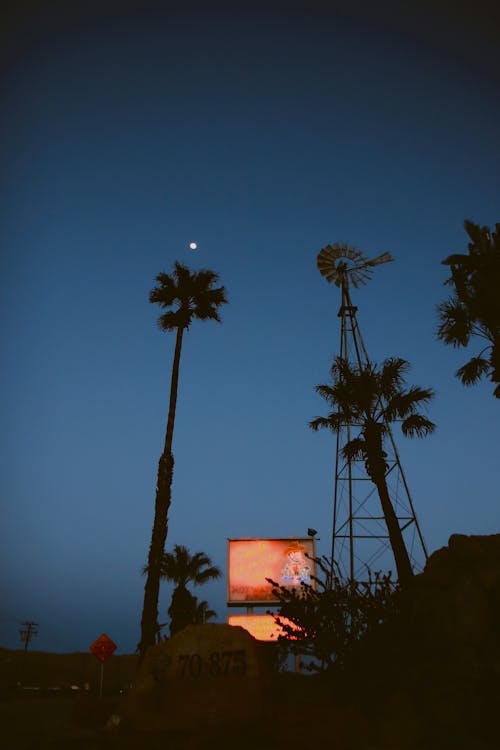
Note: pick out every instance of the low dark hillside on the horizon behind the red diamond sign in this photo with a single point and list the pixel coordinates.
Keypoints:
(43, 669)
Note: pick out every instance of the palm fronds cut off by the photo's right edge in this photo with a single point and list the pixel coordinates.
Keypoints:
(474, 307)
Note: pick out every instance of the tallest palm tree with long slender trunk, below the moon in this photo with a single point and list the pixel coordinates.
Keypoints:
(192, 295)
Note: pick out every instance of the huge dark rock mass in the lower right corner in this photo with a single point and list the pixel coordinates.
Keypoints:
(435, 676)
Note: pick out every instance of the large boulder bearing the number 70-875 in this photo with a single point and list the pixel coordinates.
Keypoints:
(205, 675)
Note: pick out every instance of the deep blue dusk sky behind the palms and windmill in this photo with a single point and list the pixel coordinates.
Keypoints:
(262, 133)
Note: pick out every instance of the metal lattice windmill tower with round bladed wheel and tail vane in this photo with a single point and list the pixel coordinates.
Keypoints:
(359, 533)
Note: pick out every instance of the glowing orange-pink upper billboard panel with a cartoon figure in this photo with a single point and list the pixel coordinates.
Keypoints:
(251, 561)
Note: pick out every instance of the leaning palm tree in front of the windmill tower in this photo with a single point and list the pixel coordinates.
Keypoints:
(373, 398)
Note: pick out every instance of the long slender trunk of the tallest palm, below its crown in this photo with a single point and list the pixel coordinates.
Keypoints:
(149, 621)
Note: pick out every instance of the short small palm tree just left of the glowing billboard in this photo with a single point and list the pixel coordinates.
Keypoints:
(181, 567)
